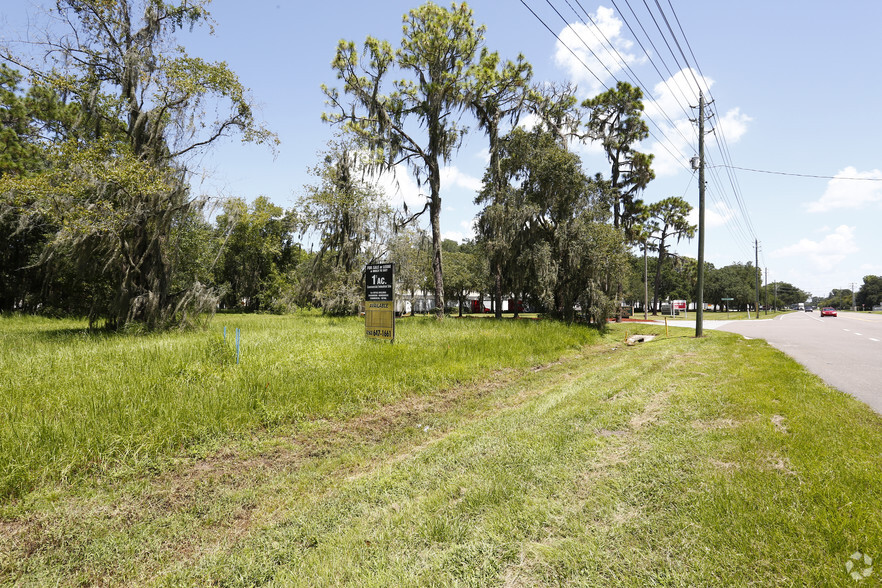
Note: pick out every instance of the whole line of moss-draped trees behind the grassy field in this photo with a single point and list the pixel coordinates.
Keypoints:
(97, 217)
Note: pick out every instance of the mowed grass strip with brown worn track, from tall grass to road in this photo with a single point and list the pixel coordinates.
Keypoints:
(676, 462)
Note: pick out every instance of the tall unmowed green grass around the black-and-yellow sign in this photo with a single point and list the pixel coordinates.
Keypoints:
(75, 403)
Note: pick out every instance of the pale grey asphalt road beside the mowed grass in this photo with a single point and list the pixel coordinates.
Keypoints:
(845, 351)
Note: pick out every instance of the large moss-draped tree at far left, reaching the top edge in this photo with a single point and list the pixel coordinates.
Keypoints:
(119, 180)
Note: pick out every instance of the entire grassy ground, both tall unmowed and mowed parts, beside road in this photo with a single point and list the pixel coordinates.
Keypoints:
(584, 462)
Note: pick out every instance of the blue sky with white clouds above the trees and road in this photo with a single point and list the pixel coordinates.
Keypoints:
(796, 88)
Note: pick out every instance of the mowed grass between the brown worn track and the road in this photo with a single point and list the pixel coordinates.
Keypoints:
(680, 462)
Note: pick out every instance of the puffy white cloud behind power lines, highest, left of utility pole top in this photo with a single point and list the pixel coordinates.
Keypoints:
(589, 43)
